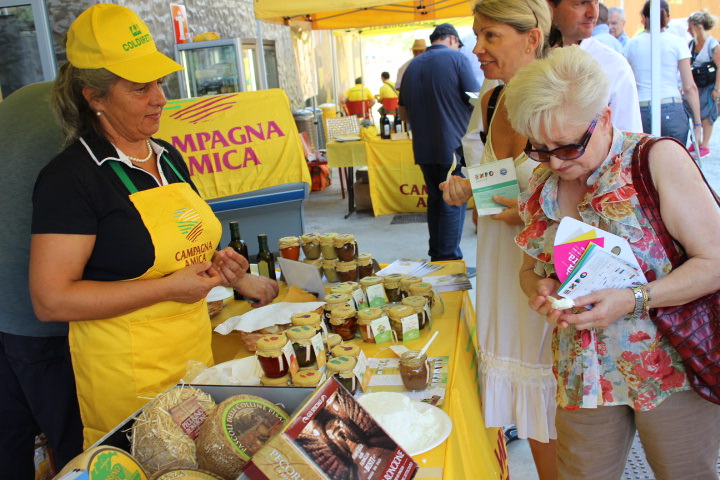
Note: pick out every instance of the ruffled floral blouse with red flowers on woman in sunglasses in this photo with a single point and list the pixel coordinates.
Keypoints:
(629, 362)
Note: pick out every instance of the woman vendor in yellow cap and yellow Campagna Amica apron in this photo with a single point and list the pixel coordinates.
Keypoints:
(123, 247)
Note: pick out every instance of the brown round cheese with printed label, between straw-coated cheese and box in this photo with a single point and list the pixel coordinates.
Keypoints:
(237, 429)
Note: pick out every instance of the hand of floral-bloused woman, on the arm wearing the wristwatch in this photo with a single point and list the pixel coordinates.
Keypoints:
(608, 306)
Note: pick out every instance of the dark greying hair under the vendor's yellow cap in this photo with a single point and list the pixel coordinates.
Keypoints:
(72, 110)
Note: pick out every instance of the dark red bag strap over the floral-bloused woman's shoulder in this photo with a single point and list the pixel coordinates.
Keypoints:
(650, 200)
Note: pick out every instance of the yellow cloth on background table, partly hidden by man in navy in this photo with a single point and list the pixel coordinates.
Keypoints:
(396, 183)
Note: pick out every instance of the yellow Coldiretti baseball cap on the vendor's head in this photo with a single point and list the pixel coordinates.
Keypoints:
(113, 37)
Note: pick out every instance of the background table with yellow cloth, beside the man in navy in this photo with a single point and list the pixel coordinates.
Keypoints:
(396, 183)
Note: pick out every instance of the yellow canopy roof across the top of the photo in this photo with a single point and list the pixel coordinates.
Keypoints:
(344, 14)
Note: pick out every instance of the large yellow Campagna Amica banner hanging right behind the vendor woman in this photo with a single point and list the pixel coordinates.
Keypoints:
(236, 143)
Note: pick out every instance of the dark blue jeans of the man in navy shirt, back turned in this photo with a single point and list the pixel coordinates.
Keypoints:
(445, 222)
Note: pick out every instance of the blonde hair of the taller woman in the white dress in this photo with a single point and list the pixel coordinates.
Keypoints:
(522, 15)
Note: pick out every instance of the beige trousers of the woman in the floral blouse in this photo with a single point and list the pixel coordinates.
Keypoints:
(681, 438)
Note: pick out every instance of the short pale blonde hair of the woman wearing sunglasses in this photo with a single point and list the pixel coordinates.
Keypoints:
(568, 87)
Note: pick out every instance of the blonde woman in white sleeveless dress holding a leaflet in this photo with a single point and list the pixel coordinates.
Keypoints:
(515, 362)
